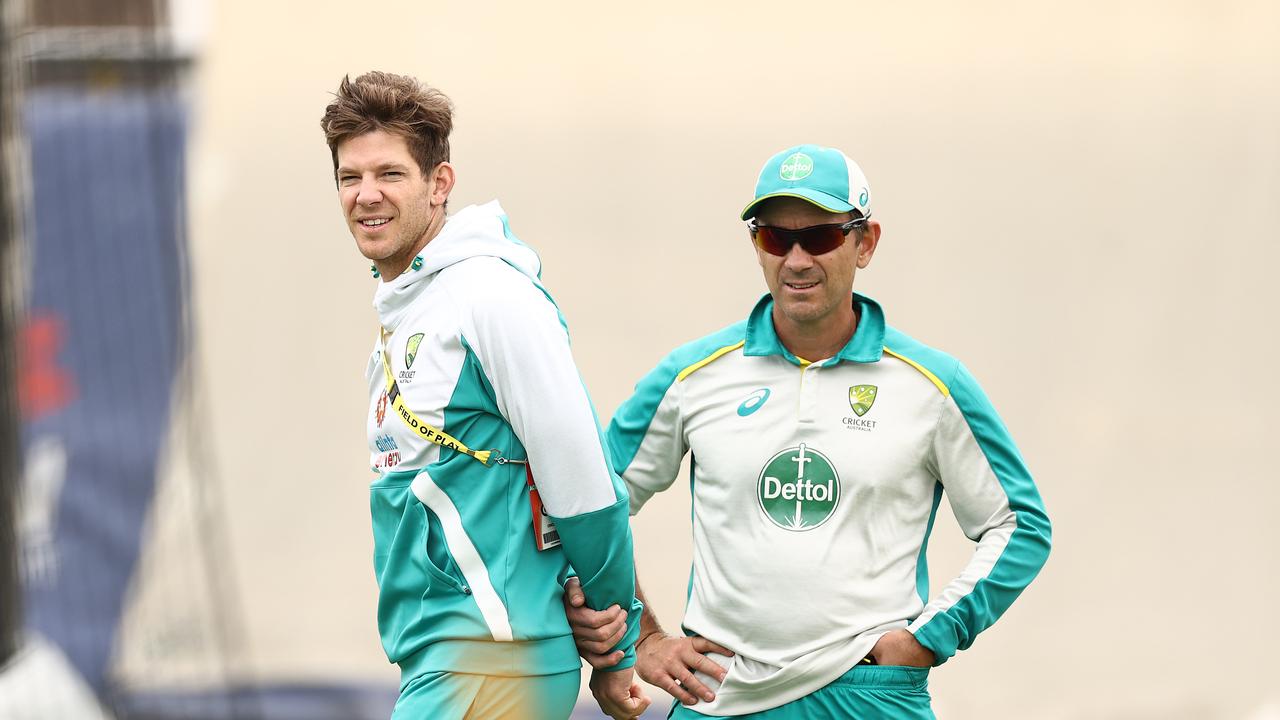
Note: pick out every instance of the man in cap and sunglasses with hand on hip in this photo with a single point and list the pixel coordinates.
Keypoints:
(822, 444)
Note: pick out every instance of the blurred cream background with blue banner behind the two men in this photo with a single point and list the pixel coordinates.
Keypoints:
(1080, 200)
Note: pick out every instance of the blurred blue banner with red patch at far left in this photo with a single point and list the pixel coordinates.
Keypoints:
(100, 350)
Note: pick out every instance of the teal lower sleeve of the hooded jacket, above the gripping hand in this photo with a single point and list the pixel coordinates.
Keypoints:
(598, 546)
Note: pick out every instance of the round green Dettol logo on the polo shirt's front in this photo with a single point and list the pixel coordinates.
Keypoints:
(799, 489)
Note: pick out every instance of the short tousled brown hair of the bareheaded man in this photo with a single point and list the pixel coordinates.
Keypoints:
(397, 104)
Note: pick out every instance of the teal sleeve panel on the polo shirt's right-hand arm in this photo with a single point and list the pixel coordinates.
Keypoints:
(1027, 548)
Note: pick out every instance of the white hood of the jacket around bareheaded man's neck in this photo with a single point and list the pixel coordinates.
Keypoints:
(472, 233)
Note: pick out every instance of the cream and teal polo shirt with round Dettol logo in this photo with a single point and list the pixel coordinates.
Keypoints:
(815, 490)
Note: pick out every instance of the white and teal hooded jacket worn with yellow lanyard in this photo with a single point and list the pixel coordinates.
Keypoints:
(472, 385)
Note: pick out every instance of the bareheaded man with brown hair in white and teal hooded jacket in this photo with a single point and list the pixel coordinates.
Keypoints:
(493, 484)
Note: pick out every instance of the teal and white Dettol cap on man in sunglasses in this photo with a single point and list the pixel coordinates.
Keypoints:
(822, 176)
